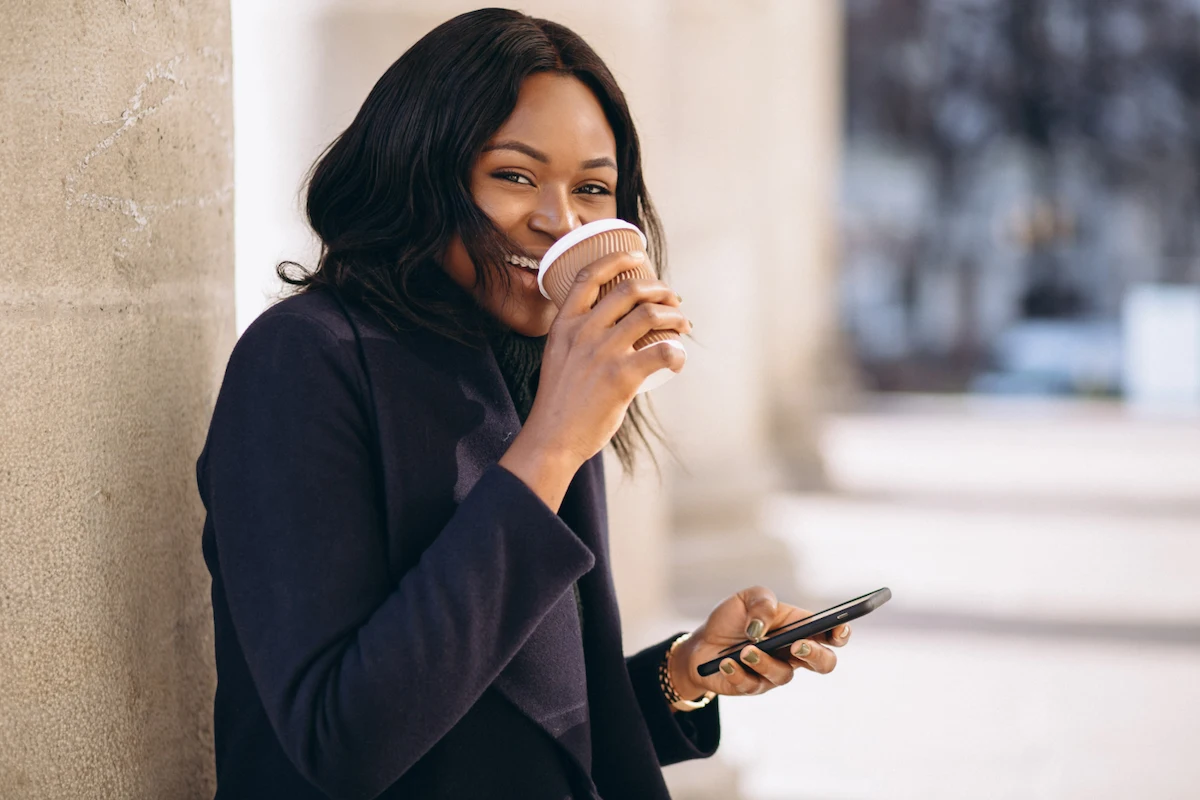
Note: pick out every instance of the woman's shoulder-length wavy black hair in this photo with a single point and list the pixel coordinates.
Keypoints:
(394, 189)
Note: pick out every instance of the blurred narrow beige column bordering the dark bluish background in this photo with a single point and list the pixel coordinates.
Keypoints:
(800, 183)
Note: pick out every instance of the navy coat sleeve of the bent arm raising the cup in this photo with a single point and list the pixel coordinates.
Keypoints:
(359, 676)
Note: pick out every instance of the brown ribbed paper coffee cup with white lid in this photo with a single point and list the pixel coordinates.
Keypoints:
(589, 244)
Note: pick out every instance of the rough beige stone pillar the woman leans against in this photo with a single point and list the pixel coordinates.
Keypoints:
(117, 317)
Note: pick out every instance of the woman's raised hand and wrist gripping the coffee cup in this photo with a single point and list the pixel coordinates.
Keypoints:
(591, 372)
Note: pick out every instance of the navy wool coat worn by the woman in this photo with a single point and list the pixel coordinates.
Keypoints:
(393, 610)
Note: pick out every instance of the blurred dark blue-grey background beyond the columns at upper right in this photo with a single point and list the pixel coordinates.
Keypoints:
(1015, 172)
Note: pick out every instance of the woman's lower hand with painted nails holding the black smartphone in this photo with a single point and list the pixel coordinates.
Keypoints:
(751, 615)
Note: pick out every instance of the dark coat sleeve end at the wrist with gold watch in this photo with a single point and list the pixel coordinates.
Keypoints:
(677, 737)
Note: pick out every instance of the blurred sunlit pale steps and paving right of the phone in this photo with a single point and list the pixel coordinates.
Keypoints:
(1045, 640)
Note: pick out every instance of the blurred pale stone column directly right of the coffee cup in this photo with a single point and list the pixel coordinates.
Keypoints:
(719, 214)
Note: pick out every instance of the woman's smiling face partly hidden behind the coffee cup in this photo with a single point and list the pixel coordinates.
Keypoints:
(551, 169)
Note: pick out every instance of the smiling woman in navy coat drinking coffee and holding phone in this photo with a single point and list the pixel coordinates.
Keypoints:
(406, 507)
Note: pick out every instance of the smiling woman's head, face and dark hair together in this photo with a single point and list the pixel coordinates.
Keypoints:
(407, 194)
